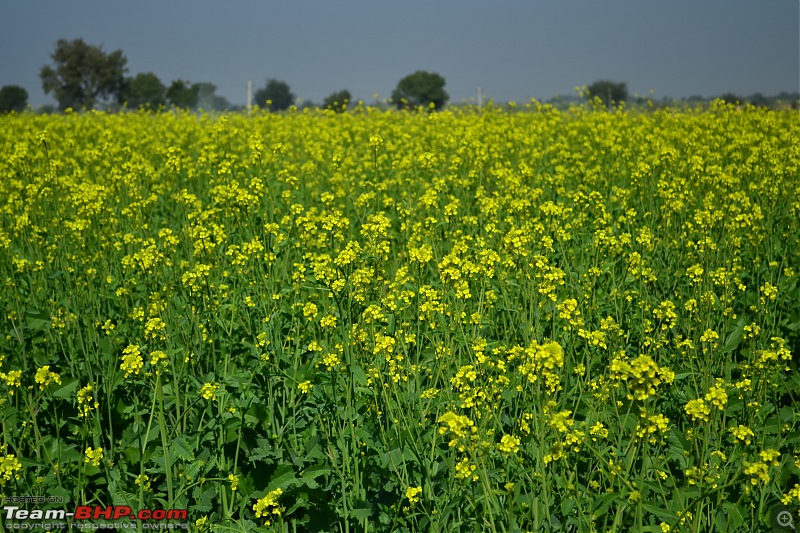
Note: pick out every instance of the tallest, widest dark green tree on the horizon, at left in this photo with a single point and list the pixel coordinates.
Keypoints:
(83, 75)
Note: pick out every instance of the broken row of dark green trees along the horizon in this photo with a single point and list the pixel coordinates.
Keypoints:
(83, 76)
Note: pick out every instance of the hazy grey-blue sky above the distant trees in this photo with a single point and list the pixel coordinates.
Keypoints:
(514, 50)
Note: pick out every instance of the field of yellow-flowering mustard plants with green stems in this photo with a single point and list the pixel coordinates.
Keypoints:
(475, 320)
